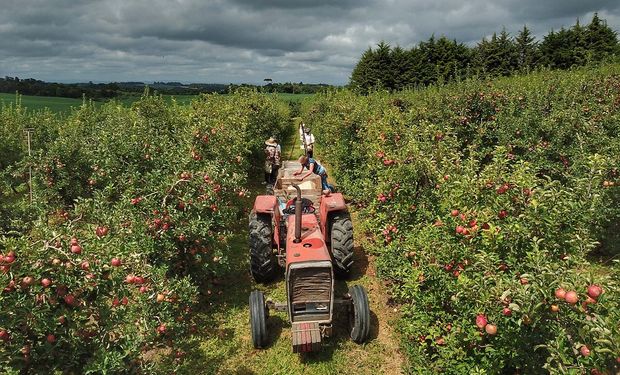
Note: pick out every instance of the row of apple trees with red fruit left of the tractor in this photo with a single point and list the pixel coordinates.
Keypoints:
(132, 213)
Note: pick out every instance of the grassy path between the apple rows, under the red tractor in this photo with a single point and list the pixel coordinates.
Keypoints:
(226, 346)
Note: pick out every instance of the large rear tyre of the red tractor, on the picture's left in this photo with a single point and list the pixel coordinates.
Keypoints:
(263, 261)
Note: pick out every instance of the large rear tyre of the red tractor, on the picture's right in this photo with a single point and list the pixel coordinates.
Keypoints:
(341, 230)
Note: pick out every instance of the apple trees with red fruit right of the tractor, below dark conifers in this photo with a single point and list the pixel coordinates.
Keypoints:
(485, 202)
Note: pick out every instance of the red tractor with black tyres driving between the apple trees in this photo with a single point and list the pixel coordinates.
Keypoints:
(313, 245)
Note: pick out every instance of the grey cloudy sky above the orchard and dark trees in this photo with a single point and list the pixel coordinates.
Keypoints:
(225, 41)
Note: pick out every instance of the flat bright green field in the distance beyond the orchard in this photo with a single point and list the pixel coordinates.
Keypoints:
(64, 105)
